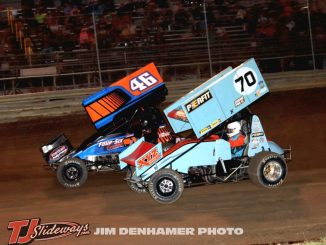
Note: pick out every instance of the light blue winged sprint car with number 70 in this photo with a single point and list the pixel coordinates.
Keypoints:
(206, 155)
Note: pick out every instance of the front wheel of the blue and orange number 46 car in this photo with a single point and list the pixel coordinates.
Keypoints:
(72, 173)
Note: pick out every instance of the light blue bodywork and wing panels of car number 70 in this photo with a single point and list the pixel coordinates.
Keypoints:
(204, 109)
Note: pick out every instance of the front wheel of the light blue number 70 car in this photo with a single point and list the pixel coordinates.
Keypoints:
(166, 186)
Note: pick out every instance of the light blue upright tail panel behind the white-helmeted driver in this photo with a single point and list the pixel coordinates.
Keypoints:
(258, 141)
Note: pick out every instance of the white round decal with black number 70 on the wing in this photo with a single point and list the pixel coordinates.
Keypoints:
(245, 81)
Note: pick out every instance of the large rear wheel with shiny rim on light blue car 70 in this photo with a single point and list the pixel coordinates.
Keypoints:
(267, 169)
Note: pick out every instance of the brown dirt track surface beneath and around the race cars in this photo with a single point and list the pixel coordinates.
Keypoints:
(294, 212)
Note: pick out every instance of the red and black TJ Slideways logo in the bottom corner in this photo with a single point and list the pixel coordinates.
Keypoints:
(26, 231)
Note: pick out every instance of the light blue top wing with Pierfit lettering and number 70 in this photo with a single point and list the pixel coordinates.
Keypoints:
(218, 99)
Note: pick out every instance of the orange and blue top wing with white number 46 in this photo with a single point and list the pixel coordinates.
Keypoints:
(141, 88)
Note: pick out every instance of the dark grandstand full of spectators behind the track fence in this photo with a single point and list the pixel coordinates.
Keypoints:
(51, 44)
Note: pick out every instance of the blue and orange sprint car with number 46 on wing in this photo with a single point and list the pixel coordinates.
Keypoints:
(121, 113)
